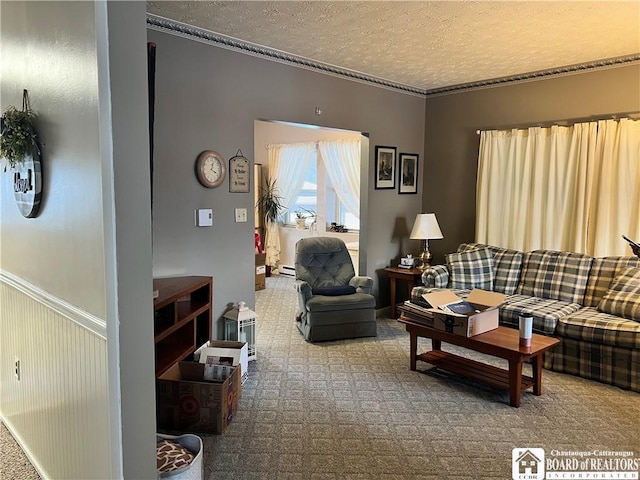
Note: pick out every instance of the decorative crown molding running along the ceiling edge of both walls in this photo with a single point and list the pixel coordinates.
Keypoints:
(155, 22)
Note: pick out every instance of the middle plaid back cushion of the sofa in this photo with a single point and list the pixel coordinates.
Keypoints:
(555, 275)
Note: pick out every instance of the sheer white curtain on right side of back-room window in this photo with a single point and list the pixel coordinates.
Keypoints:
(342, 161)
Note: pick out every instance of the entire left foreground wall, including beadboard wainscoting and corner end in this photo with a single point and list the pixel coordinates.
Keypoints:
(88, 253)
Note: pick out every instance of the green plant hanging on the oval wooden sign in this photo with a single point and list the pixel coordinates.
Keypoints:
(18, 138)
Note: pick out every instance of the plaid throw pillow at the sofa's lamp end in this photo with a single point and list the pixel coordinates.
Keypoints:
(471, 269)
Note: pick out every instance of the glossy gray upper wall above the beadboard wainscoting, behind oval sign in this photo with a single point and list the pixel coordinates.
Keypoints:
(62, 250)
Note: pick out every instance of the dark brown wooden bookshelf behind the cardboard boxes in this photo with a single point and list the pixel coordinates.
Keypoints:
(182, 318)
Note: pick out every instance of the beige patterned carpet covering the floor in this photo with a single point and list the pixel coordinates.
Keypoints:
(352, 410)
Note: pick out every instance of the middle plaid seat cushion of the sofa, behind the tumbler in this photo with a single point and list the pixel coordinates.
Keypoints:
(545, 312)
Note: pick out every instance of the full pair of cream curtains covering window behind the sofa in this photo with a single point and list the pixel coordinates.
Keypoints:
(562, 188)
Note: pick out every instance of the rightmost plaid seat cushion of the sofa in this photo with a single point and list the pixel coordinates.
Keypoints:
(592, 326)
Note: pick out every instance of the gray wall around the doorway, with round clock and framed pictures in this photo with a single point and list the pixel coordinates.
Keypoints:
(208, 98)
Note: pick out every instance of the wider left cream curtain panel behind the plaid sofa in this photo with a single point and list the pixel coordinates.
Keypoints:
(532, 187)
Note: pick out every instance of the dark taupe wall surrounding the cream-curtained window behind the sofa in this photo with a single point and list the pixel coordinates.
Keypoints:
(451, 142)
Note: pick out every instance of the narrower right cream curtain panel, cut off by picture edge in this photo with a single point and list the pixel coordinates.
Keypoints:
(615, 203)
